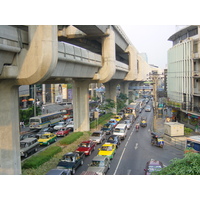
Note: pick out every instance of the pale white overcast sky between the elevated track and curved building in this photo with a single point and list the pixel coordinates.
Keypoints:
(151, 39)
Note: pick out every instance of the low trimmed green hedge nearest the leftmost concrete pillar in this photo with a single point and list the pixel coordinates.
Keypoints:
(42, 157)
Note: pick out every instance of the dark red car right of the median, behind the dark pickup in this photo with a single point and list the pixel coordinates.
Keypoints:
(87, 147)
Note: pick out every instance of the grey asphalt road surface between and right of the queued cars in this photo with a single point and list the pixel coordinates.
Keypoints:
(135, 151)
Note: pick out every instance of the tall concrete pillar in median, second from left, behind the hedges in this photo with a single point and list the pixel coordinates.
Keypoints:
(81, 105)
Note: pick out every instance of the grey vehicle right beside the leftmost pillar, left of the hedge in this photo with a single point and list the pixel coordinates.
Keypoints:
(28, 146)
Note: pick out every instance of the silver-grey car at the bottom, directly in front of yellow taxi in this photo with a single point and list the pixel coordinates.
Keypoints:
(99, 165)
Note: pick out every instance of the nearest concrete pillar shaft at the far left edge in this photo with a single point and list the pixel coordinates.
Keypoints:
(10, 162)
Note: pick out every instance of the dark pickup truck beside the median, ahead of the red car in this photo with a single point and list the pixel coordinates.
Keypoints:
(72, 161)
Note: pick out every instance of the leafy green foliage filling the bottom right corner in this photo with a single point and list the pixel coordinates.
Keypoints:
(189, 165)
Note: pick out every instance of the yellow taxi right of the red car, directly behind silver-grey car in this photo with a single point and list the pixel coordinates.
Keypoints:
(108, 150)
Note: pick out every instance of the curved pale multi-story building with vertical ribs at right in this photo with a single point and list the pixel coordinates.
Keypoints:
(183, 76)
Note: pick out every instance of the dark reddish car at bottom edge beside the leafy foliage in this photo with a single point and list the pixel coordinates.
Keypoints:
(152, 166)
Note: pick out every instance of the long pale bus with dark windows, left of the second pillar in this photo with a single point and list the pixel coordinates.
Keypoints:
(43, 121)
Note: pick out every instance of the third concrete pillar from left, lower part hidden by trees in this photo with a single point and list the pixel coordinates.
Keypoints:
(111, 92)
